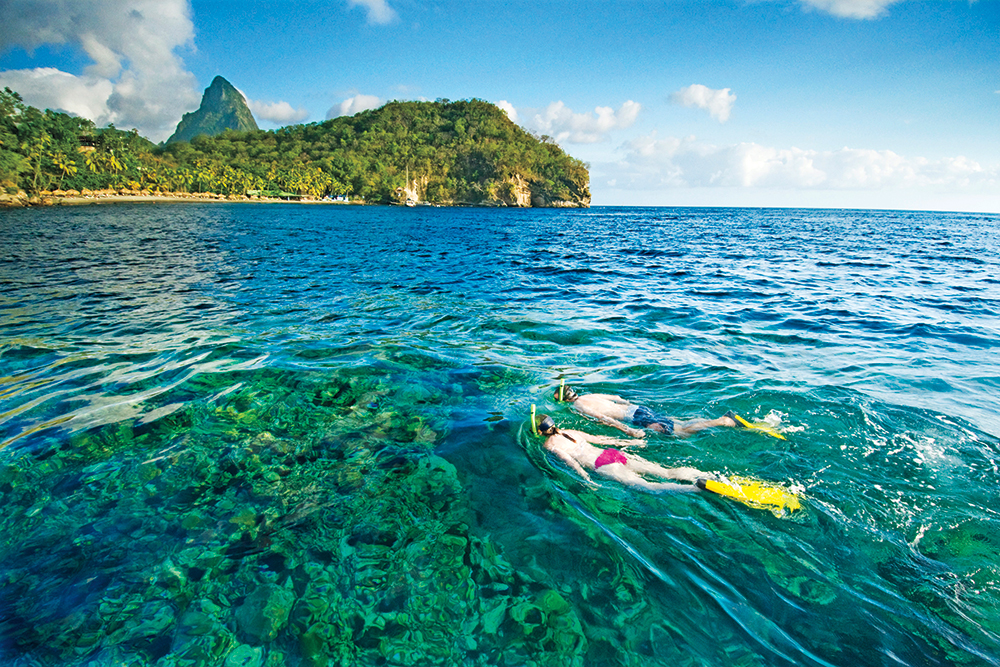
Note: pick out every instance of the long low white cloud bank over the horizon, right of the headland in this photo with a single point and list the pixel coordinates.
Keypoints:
(652, 163)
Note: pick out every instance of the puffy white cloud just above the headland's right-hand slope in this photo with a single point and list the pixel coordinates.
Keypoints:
(562, 124)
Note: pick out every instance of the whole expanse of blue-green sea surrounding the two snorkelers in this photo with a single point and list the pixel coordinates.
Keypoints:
(296, 435)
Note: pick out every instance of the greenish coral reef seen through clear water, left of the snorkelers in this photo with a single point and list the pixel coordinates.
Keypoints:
(297, 519)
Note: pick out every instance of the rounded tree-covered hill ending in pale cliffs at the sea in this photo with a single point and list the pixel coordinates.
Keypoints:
(442, 152)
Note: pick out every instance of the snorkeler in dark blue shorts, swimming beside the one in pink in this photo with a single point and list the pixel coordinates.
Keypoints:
(615, 411)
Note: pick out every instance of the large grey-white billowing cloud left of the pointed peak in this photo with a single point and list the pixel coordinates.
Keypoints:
(135, 78)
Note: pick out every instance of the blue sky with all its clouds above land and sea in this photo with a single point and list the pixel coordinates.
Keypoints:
(891, 104)
